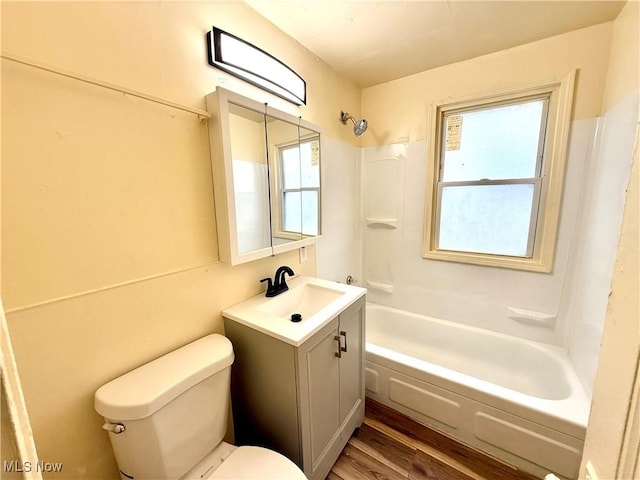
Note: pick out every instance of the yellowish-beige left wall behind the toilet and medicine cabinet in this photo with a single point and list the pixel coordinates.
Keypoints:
(108, 231)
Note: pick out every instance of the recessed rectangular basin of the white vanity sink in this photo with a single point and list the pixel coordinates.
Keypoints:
(306, 299)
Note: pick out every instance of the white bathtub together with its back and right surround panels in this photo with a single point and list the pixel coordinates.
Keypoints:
(514, 361)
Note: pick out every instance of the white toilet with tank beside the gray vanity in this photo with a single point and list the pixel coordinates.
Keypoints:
(167, 419)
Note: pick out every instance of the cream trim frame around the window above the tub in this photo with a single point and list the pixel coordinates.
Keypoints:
(560, 90)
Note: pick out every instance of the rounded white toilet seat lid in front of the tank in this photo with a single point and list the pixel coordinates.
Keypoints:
(257, 463)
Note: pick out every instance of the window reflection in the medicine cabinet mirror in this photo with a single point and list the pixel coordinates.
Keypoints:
(300, 187)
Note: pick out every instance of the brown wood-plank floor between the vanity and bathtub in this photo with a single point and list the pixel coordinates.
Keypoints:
(390, 446)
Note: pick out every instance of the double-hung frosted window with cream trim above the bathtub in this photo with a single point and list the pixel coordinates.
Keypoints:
(495, 177)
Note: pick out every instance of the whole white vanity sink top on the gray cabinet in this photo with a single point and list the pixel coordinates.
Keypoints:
(317, 301)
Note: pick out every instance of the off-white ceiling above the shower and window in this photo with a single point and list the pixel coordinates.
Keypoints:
(372, 42)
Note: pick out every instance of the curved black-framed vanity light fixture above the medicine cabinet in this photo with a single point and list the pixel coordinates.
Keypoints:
(252, 64)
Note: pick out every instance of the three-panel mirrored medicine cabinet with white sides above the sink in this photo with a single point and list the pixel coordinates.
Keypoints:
(266, 178)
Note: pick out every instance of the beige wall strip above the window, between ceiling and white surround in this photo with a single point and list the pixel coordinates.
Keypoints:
(397, 111)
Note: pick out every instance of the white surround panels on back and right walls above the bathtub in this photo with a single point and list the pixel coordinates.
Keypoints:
(534, 306)
